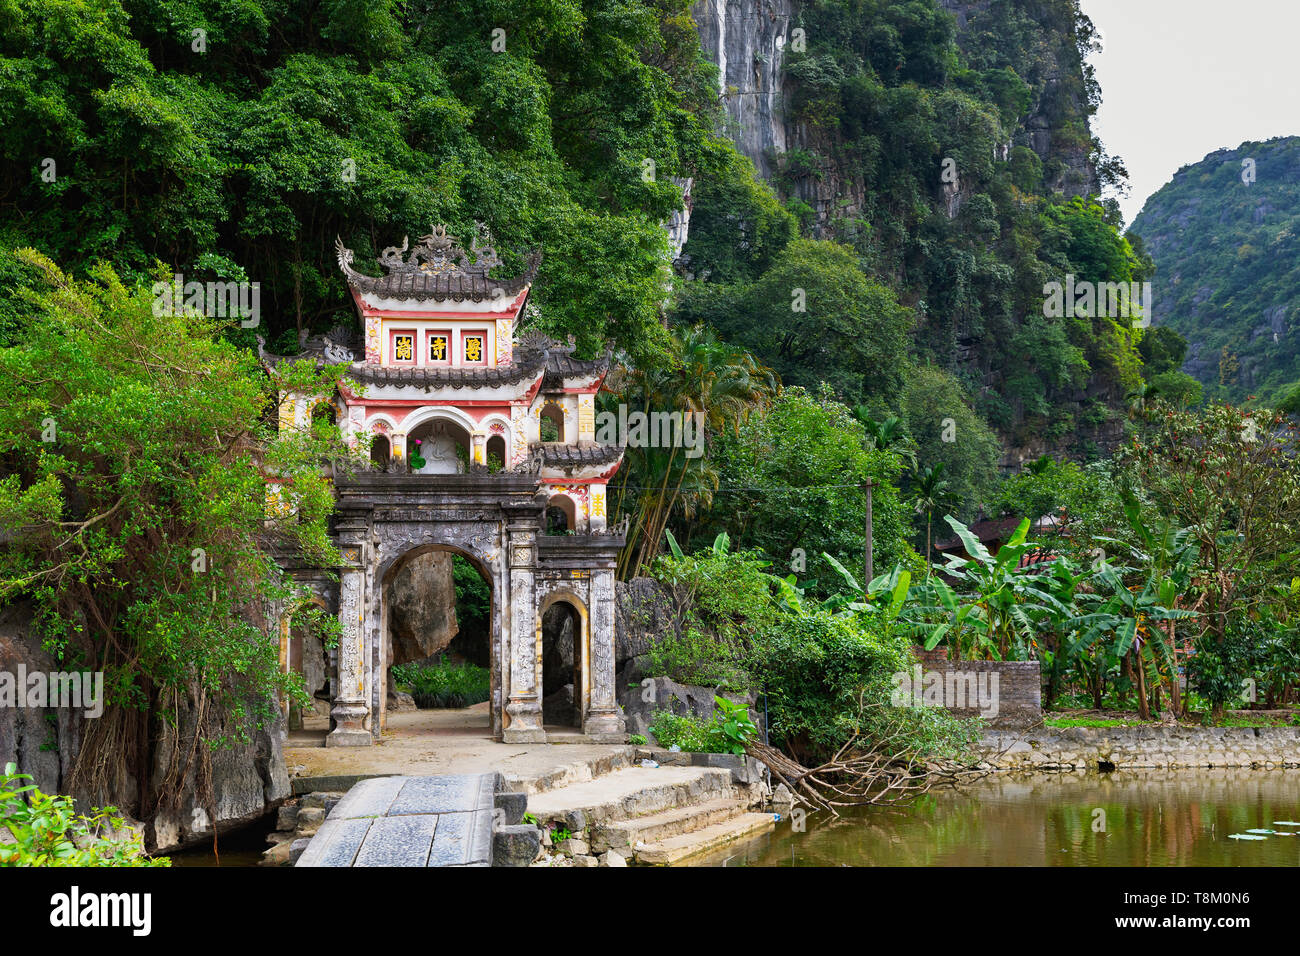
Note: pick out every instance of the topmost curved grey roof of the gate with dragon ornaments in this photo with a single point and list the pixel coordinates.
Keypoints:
(437, 269)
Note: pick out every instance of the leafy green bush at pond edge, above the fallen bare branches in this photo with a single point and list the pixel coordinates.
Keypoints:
(825, 668)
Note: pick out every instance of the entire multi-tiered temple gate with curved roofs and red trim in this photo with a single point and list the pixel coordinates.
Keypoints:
(447, 383)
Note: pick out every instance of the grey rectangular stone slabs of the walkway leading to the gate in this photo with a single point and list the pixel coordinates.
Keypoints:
(409, 821)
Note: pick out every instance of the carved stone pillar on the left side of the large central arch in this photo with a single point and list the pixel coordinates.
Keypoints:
(352, 707)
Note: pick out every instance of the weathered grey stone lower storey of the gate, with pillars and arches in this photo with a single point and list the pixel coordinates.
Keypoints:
(495, 521)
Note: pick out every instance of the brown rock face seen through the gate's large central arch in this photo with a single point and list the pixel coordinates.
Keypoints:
(423, 617)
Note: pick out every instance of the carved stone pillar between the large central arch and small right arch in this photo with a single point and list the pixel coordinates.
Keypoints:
(525, 704)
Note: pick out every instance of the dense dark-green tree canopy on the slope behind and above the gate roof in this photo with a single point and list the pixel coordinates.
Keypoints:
(280, 126)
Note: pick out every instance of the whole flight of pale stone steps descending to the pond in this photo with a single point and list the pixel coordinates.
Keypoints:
(653, 816)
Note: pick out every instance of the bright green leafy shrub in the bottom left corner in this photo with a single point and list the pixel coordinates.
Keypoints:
(46, 830)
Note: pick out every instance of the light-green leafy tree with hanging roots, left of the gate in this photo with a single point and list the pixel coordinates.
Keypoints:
(133, 495)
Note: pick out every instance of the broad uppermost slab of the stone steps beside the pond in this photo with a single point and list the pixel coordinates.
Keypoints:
(629, 794)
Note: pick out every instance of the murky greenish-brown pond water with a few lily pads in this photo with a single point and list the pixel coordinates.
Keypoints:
(1150, 819)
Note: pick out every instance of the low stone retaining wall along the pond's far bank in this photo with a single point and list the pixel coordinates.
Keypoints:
(1123, 749)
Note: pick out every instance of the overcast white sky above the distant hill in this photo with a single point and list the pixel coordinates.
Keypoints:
(1181, 79)
